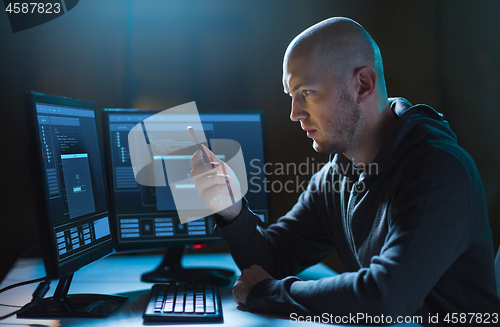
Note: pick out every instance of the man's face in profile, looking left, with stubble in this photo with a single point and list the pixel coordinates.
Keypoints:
(321, 104)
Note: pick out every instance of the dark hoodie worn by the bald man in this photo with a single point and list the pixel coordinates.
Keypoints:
(411, 229)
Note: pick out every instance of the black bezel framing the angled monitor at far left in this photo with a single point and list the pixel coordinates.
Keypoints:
(53, 267)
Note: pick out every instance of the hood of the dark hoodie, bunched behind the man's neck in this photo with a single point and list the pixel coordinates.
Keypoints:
(415, 125)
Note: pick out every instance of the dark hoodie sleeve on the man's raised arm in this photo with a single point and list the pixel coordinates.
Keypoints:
(296, 241)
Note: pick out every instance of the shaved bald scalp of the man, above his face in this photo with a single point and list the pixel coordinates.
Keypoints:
(340, 45)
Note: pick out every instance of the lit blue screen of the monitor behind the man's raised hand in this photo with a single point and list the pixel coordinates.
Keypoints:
(147, 214)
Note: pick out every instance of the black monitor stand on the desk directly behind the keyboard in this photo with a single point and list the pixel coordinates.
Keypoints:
(171, 270)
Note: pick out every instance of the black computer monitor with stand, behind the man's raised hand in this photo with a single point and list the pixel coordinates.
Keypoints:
(145, 217)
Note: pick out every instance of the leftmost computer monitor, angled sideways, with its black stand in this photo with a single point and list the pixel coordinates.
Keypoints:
(71, 200)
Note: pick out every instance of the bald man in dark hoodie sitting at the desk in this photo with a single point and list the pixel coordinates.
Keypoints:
(413, 233)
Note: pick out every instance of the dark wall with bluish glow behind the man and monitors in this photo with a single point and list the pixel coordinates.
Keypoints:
(227, 55)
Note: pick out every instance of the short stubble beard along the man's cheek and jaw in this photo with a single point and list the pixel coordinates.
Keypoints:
(342, 129)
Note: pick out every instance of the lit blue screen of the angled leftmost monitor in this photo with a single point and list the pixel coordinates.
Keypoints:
(77, 201)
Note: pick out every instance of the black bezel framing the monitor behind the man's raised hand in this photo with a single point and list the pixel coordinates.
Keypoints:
(143, 245)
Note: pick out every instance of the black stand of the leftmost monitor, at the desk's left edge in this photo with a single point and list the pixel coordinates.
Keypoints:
(62, 305)
